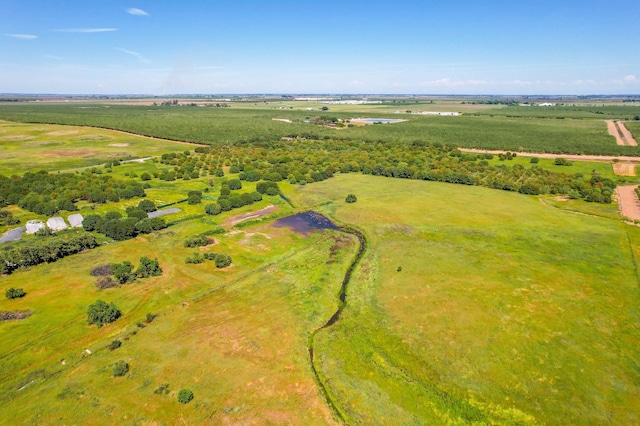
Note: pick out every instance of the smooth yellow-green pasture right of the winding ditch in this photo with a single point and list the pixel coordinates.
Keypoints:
(534, 325)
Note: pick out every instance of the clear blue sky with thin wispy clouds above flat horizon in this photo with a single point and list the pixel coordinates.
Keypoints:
(279, 46)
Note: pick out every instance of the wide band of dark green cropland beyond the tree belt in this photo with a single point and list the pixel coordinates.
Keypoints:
(582, 132)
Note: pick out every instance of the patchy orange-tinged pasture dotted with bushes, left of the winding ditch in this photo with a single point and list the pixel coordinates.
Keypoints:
(236, 337)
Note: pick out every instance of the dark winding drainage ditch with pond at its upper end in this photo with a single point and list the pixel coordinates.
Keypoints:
(304, 223)
